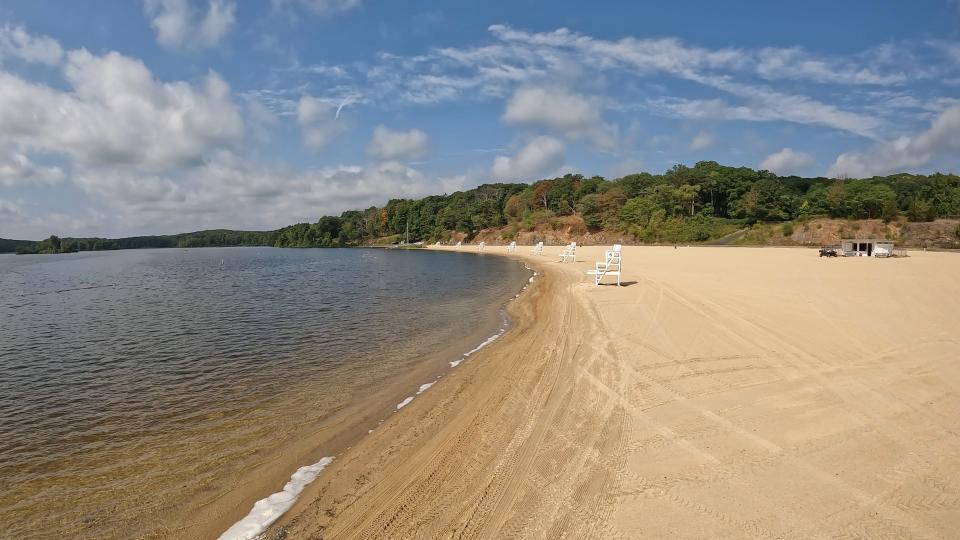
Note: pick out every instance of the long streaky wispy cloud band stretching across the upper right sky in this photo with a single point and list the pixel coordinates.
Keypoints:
(750, 85)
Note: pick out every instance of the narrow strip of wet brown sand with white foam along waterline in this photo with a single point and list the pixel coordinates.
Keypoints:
(336, 434)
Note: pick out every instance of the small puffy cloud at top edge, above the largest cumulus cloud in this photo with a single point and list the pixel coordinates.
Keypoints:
(181, 24)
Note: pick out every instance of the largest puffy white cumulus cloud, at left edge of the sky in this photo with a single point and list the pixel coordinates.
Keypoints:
(117, 113)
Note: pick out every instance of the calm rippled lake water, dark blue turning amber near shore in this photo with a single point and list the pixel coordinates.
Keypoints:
(136, 385)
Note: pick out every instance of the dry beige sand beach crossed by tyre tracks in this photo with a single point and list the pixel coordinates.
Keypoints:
(723, 393)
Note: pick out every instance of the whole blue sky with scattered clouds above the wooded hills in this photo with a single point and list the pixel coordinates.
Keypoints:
(161, 116)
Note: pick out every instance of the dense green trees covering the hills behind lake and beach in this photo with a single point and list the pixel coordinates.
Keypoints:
(684, 204)
